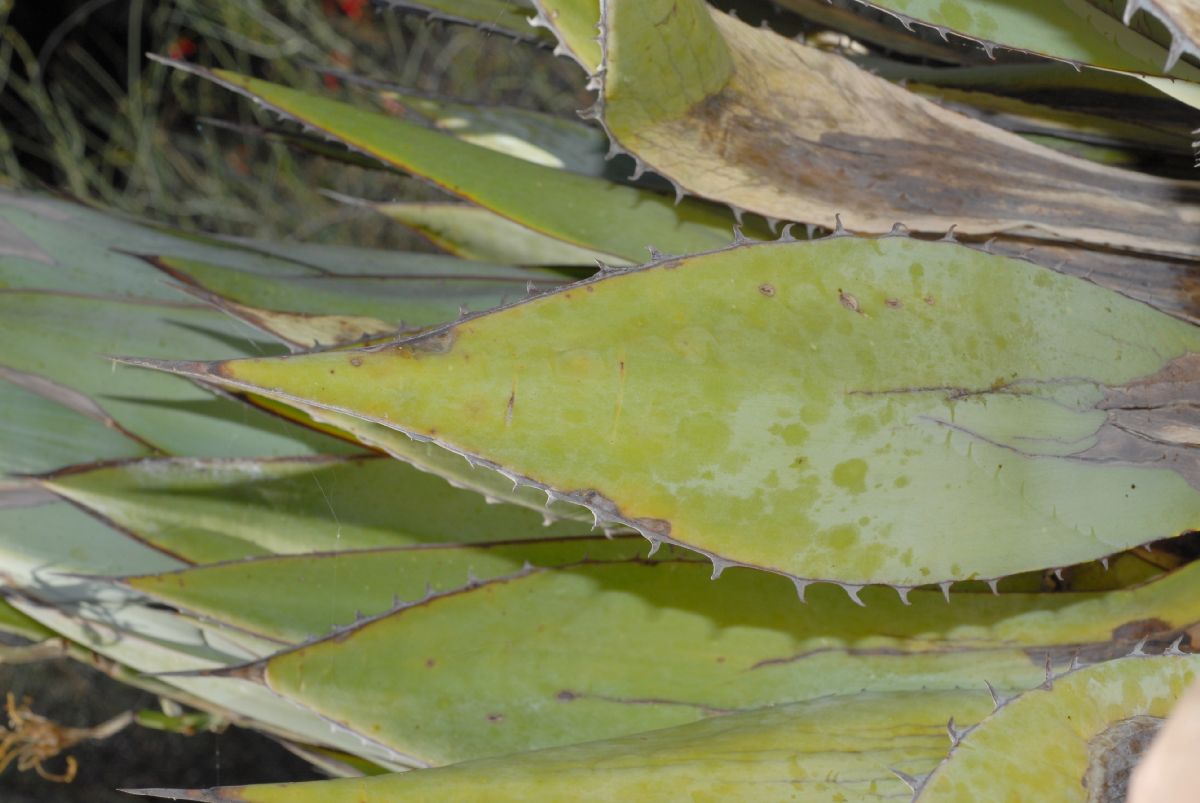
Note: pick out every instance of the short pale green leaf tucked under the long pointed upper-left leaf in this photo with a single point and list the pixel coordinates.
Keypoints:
(476, 233)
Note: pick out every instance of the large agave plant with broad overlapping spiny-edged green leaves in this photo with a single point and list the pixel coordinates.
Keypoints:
(857, 470)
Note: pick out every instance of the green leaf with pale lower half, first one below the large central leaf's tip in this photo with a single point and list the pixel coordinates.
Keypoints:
(225, 510)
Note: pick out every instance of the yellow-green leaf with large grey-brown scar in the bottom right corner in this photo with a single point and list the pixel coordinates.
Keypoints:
(1091, 727)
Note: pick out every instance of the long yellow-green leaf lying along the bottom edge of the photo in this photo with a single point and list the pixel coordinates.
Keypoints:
(784, 753)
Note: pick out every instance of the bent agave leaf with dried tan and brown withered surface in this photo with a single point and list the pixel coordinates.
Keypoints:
(811, 153)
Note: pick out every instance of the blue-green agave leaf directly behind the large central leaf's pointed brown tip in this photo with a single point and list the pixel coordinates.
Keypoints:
(67, 340)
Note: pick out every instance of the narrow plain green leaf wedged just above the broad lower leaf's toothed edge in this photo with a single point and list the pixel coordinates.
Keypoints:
(259, 595)
